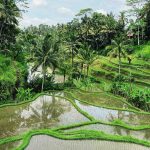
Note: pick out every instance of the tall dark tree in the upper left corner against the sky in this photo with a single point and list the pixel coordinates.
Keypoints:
(9, 14)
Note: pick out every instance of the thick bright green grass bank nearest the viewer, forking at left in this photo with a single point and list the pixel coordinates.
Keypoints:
(73, 135)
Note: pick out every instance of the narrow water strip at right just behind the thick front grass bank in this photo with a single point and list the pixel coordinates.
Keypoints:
(114, 130)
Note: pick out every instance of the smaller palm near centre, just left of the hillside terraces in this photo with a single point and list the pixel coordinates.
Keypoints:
(87, 56)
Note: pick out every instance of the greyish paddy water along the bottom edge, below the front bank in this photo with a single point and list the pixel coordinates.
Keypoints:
(43, 142)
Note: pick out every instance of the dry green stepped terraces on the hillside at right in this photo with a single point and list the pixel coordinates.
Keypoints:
(108, 69)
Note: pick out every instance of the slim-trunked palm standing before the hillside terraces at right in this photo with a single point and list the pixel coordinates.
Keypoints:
(118, 49)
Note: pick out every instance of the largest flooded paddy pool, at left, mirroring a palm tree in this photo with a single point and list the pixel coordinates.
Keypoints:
(45, 112)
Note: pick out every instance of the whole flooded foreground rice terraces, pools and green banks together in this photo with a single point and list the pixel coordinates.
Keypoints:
(72, 115)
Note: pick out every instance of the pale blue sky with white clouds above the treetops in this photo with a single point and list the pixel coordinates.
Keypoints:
(52, 12)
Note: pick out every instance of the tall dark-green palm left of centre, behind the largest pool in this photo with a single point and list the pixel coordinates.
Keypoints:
(46, 57)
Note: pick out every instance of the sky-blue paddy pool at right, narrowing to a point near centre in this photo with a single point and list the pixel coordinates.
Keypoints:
(110, 115)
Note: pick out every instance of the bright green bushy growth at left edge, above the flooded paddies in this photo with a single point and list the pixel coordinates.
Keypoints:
(12, 76)
